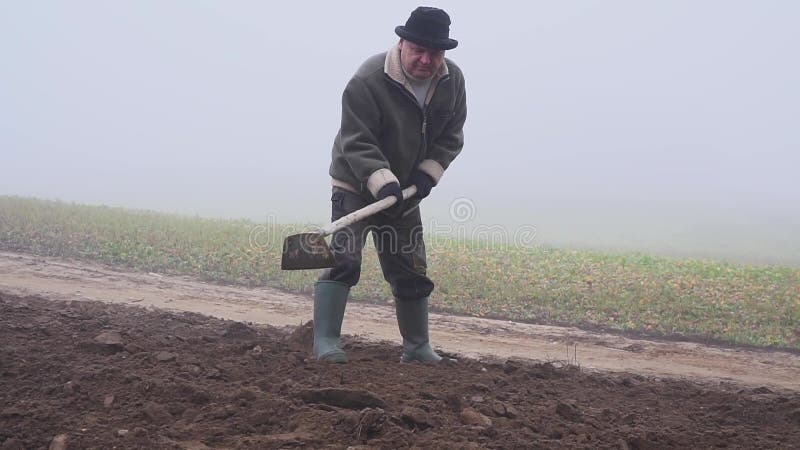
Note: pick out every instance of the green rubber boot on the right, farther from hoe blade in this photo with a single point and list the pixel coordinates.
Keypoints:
(412, 317)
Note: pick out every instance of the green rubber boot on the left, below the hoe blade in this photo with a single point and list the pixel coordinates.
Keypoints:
(330, 299)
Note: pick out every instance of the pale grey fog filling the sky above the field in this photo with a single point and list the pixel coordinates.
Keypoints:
(669, 127)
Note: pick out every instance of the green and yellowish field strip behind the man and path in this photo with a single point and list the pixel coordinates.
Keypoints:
(697, 299)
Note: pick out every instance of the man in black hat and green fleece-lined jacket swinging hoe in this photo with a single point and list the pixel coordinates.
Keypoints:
(402, 118)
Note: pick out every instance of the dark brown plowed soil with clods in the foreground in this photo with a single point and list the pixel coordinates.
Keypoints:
(93, 375)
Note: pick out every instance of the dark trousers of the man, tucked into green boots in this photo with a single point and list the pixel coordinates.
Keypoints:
(401, 249)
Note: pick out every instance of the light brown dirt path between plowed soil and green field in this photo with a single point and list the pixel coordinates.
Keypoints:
(61, 279)
